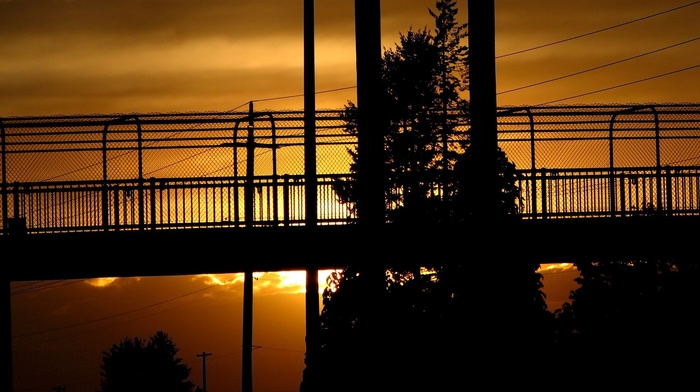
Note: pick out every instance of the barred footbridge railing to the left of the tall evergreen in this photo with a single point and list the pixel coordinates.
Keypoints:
(174, 203)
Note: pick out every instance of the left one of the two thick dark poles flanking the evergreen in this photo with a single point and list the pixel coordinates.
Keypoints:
(370, 182)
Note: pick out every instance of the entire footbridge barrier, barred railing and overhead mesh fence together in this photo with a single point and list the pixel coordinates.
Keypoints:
(207, 170)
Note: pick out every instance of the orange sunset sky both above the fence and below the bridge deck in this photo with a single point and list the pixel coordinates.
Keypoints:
(88, 56)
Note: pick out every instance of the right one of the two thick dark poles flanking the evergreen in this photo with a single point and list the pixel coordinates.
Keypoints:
(482, 84)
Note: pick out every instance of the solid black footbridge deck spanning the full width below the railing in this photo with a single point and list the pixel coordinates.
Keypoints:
(230, 250)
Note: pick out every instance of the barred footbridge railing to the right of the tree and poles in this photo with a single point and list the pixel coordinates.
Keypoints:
(602, 193)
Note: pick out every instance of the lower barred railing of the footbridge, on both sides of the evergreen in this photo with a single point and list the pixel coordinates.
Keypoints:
(180, 203)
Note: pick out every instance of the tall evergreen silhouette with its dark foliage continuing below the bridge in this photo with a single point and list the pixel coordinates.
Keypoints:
(429, 179)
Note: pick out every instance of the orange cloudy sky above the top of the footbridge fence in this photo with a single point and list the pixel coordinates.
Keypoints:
(88, 56)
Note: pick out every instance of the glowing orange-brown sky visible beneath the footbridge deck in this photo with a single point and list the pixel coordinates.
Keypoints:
(60, 328)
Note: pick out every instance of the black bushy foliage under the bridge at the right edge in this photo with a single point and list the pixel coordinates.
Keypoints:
(638, 318)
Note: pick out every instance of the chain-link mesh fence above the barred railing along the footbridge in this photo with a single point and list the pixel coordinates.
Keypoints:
(194, 145)
